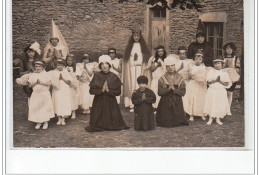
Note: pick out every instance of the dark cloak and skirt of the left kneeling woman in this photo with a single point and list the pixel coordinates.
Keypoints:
(105, 113)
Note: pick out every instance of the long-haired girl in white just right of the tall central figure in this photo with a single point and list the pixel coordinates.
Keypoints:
(158, 69)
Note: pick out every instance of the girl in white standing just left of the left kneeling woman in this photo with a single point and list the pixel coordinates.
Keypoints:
(84, 73)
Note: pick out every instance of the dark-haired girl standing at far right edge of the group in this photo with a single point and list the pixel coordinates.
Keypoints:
(232, 65)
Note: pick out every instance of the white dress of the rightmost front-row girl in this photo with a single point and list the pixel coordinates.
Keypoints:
(216, 104)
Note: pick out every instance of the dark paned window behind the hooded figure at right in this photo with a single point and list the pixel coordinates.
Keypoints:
(214, 35)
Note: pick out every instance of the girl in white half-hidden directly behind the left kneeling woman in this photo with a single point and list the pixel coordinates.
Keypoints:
(116, 66)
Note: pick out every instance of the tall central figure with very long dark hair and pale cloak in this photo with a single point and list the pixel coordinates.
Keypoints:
(134, 64)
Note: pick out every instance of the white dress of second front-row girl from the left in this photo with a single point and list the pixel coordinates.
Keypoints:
(61, 92)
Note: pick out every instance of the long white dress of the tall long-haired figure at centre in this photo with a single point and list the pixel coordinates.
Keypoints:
(135, 71)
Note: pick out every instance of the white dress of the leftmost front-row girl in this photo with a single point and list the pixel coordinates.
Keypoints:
(41, 106)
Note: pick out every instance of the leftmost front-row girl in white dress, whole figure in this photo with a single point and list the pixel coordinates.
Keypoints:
(41, 106)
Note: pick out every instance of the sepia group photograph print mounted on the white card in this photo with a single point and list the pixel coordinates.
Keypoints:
(128, 74)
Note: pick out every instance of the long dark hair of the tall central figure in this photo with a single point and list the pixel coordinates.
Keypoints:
(145, 51)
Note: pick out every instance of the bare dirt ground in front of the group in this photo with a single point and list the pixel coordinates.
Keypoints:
(197, 134)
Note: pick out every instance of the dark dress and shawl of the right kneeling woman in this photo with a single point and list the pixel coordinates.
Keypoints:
(170, 112)
